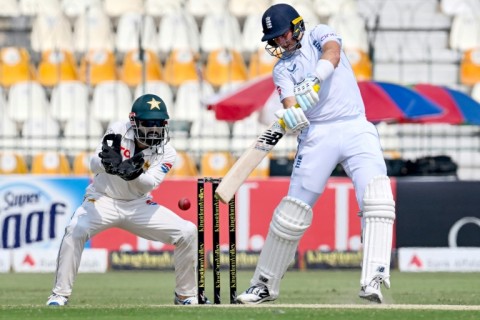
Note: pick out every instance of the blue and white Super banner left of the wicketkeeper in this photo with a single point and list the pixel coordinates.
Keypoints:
(35, 210)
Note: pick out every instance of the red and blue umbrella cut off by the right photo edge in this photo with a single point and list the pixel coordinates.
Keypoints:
(458, 107)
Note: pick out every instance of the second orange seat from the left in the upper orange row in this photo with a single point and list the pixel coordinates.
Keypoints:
(56, 66)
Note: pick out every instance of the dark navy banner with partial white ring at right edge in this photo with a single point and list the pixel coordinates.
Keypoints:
(438, 214)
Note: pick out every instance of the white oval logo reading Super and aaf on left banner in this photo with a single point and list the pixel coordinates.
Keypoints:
(30, 215)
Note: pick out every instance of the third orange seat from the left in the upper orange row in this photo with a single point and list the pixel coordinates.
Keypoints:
(97, 66)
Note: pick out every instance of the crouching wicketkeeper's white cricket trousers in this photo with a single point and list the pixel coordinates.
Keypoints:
(143, 218)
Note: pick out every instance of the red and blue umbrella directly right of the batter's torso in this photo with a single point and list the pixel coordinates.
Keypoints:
(392, 102)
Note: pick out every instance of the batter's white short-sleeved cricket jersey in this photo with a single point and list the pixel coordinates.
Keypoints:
(339, 94)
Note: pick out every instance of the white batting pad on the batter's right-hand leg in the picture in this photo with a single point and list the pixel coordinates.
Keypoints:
(379, 214)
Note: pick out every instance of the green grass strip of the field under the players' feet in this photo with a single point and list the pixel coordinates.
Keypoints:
(318, 295)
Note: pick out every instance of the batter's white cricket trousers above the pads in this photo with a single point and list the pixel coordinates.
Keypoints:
(354, 143)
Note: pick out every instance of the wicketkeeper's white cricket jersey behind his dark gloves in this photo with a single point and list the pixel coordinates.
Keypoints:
(157, 164)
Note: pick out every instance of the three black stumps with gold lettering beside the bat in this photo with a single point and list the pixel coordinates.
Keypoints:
(232, 248)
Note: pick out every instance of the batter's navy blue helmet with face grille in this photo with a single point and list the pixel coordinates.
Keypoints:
(276, 21)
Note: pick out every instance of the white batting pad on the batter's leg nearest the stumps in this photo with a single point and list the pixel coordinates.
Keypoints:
(290, 220)
